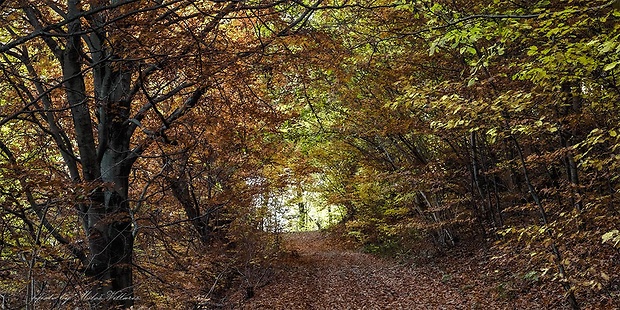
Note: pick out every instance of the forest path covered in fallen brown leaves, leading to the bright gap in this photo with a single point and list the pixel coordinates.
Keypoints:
(322, 274)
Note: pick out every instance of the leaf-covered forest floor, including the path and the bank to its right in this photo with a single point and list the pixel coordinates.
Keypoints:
(323, 273)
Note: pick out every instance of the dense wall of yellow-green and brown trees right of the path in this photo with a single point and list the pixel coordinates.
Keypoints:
(447, 119)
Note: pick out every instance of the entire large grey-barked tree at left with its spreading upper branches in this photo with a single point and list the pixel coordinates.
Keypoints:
(100, 80)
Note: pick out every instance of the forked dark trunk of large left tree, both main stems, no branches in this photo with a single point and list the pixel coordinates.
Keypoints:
(106, 217)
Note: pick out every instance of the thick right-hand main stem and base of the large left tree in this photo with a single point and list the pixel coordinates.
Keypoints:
(109, 224)
